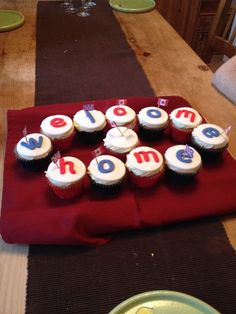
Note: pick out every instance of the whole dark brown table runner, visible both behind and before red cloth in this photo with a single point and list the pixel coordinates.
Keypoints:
(79, 59)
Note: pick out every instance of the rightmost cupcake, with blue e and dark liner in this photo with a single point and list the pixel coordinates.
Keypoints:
(210, 141)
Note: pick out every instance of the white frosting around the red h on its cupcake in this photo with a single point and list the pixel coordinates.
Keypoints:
(63, 180)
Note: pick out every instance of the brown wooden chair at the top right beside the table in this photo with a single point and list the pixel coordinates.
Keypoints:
(218, 40)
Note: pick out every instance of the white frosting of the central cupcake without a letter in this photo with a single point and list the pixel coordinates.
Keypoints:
(119, 143)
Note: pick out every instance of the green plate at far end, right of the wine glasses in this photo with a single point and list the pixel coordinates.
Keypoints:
(133, 6)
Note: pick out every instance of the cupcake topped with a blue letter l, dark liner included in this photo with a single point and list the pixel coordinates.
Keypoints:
(90, 124)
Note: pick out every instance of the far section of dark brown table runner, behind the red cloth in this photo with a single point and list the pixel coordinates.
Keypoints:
(84, 58)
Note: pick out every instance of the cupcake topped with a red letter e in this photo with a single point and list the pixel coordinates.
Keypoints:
(59, 128)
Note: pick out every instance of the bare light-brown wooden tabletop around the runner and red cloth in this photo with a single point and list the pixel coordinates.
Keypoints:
(171, 67)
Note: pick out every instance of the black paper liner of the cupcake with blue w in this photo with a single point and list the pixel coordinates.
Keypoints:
(35, 164)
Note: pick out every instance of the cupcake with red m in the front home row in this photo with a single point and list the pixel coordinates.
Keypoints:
(145, 166)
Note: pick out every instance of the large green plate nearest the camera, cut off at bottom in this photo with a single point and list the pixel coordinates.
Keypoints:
(163, 302)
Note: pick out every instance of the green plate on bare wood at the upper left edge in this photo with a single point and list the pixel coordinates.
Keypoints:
(10, 19)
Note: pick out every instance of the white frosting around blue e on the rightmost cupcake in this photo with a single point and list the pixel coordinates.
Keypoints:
(215, 142)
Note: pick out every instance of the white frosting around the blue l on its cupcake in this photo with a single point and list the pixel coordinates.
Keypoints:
(83, 123)
